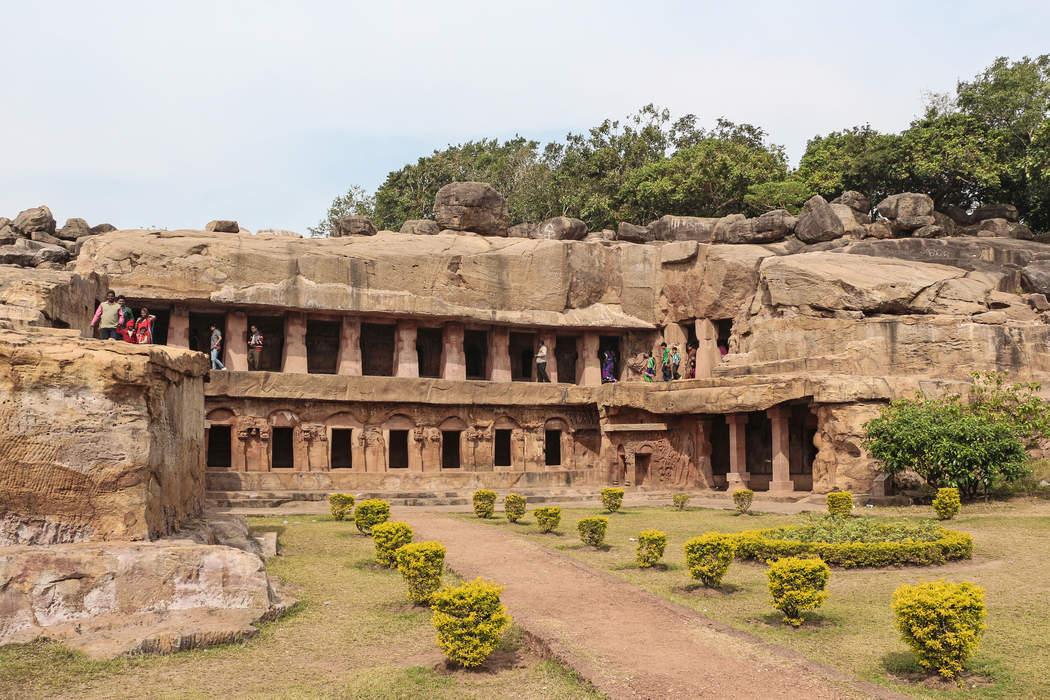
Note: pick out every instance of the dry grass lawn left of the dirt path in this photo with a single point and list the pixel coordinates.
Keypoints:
(354, 635)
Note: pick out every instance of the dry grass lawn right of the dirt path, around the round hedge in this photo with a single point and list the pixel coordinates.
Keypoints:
(855, 629)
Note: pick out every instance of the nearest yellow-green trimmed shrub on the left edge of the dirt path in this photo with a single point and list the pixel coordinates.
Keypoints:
(470, 621)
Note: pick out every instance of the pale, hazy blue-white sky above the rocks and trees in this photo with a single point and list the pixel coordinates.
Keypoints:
(170, 115)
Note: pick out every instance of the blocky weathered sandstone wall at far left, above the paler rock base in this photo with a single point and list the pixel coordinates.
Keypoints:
(98, 440)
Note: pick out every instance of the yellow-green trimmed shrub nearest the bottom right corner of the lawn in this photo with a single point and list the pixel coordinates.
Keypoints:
(942, 623)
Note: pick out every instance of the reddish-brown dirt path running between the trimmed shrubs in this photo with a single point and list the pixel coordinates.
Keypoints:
(626, 642)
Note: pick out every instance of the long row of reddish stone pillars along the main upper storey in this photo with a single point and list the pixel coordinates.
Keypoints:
(406, 356)
